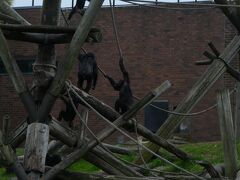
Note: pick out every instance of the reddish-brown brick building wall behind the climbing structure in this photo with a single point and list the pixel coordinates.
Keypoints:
(158, 44)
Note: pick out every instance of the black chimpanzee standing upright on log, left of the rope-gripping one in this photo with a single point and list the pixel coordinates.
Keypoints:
(88, 71)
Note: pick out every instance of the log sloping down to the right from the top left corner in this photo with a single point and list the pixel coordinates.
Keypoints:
(5, 8)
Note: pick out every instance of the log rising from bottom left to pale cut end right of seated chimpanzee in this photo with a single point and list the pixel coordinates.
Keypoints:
(108, 130)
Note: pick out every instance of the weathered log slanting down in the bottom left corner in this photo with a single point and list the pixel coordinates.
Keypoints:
(9, 160)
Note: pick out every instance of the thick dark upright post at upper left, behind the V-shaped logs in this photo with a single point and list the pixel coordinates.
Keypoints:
(44, 67)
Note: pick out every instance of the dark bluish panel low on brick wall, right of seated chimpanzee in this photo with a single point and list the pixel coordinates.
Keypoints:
(154, 118)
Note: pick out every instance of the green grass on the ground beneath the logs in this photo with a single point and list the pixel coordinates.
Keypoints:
(212, 152)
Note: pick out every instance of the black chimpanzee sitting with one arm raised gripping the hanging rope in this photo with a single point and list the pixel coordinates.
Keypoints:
(125, 99)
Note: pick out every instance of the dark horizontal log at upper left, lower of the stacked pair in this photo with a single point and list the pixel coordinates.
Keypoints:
(40, 38)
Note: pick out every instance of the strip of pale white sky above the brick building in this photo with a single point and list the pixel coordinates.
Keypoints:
(68, 3)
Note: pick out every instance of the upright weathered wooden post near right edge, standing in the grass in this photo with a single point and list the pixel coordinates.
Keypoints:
(227, 133)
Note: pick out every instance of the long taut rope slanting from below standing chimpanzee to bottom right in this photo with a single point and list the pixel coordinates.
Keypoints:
(130, 137)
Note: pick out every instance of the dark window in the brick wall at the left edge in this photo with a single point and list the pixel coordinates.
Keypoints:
(25, 65)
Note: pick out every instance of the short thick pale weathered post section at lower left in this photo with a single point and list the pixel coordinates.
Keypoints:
(36, 147)
